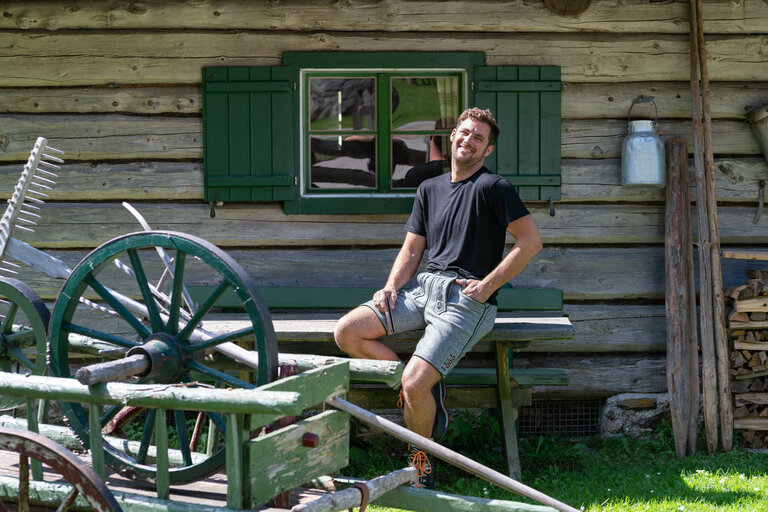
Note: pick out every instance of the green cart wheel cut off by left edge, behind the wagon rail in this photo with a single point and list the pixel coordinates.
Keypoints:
(23, 332)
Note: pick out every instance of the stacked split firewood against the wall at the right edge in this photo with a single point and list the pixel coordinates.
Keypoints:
(748, 327)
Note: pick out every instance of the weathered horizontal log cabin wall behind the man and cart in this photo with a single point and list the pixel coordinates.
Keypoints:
(117, 86)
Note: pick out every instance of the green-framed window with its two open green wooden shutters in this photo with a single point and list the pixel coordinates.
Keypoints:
(356, 132)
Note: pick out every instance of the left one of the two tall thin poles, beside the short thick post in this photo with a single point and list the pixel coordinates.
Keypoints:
(708, 365)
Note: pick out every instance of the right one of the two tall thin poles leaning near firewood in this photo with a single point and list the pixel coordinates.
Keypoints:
(718, 299)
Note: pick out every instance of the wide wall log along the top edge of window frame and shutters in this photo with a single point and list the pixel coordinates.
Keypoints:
(160, 57)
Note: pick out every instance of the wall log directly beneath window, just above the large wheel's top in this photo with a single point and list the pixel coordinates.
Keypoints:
(65, 225)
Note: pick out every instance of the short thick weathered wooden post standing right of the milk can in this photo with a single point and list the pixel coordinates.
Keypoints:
(677, 290)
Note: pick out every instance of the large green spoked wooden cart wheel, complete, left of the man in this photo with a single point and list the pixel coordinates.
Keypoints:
(129, 264)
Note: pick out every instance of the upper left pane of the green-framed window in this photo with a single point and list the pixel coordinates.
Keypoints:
(342, 104)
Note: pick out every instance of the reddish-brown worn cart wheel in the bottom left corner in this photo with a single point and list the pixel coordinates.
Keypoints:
(85, 482)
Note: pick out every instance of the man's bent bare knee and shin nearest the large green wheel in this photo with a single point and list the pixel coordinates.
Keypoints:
(357, 333)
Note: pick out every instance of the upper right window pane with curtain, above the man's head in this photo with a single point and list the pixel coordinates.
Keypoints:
(418, 103)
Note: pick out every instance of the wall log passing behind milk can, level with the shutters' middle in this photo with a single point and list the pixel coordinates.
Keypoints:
(119, 137)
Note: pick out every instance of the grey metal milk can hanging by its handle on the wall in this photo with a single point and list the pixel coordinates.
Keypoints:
(642, 151)
